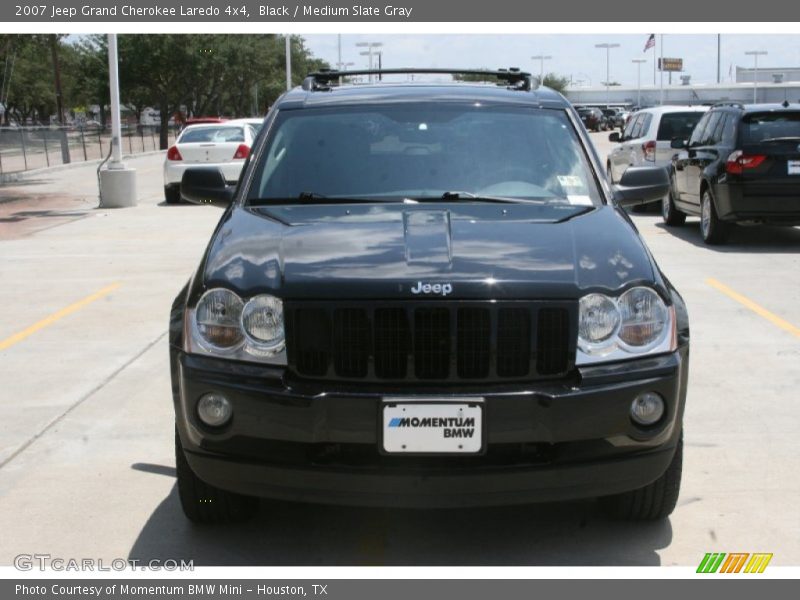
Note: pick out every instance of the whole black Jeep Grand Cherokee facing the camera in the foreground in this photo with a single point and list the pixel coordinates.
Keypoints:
(427, 295)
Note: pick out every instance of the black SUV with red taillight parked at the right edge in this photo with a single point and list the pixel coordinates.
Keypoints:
(741, 164)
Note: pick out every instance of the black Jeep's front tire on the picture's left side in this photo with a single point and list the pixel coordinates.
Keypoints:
(204, 503)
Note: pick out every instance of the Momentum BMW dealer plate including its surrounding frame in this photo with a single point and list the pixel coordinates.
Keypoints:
(421, 440)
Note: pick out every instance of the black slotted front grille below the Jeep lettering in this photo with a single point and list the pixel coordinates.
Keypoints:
(430, 341)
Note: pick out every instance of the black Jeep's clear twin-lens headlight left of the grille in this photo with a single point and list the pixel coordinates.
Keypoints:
(224, 325)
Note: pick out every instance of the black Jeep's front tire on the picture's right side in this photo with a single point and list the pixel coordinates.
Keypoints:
(652, 502)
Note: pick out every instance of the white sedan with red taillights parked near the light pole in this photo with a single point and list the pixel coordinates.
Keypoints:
(221, 145)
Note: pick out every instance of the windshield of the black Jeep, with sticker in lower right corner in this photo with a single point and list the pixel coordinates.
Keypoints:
(424, 152)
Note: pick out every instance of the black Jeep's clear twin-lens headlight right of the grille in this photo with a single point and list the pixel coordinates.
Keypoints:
(635, 324)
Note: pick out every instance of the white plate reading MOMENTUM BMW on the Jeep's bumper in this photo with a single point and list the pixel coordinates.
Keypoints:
(446, 427)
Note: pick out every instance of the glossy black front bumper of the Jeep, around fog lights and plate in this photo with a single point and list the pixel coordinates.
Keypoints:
(544, 441)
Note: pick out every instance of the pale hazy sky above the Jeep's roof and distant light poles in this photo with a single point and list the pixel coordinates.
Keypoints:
(573, 55)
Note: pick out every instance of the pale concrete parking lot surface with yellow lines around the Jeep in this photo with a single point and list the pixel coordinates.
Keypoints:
(86, 450)
